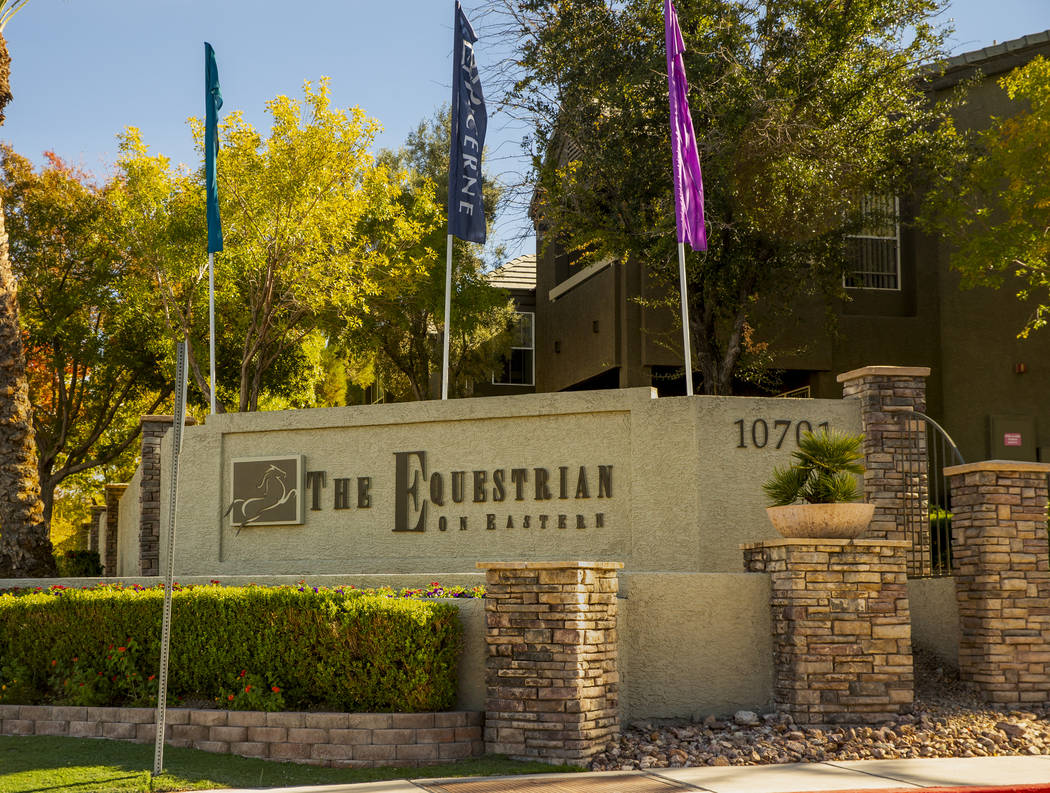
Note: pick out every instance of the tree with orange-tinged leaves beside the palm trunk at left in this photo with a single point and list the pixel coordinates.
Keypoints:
(94, 345)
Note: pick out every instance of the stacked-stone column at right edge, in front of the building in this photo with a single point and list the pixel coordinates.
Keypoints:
(1001, 562)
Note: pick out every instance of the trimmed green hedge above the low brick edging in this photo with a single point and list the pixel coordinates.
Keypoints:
(253, 649)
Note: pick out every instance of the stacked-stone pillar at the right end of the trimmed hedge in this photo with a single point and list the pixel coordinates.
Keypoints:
(552, 676)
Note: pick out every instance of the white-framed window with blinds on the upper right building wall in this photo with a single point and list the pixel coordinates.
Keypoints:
(874, 254)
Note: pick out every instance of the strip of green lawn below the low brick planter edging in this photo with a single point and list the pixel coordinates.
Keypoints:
(54, 765)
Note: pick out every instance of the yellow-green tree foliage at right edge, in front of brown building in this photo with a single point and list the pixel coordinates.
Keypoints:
(995, 211)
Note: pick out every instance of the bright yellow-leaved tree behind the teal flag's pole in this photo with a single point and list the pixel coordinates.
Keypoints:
(309, 220)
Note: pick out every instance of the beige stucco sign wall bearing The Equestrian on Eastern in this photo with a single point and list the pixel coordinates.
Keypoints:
(685, 494)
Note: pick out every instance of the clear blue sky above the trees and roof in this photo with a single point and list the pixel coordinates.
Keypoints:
(85, 70)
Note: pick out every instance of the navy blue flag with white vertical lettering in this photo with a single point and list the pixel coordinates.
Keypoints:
(467, 210)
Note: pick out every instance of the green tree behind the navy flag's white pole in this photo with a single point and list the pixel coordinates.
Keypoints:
(398, 335)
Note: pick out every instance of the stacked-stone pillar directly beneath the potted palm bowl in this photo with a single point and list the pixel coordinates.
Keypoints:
(842, 629)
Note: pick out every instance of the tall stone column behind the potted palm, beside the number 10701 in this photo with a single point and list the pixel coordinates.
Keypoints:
(895, 473)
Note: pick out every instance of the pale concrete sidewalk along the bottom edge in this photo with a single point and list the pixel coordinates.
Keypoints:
(941, 773)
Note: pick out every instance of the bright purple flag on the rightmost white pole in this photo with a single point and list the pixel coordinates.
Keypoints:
(686, 161)
